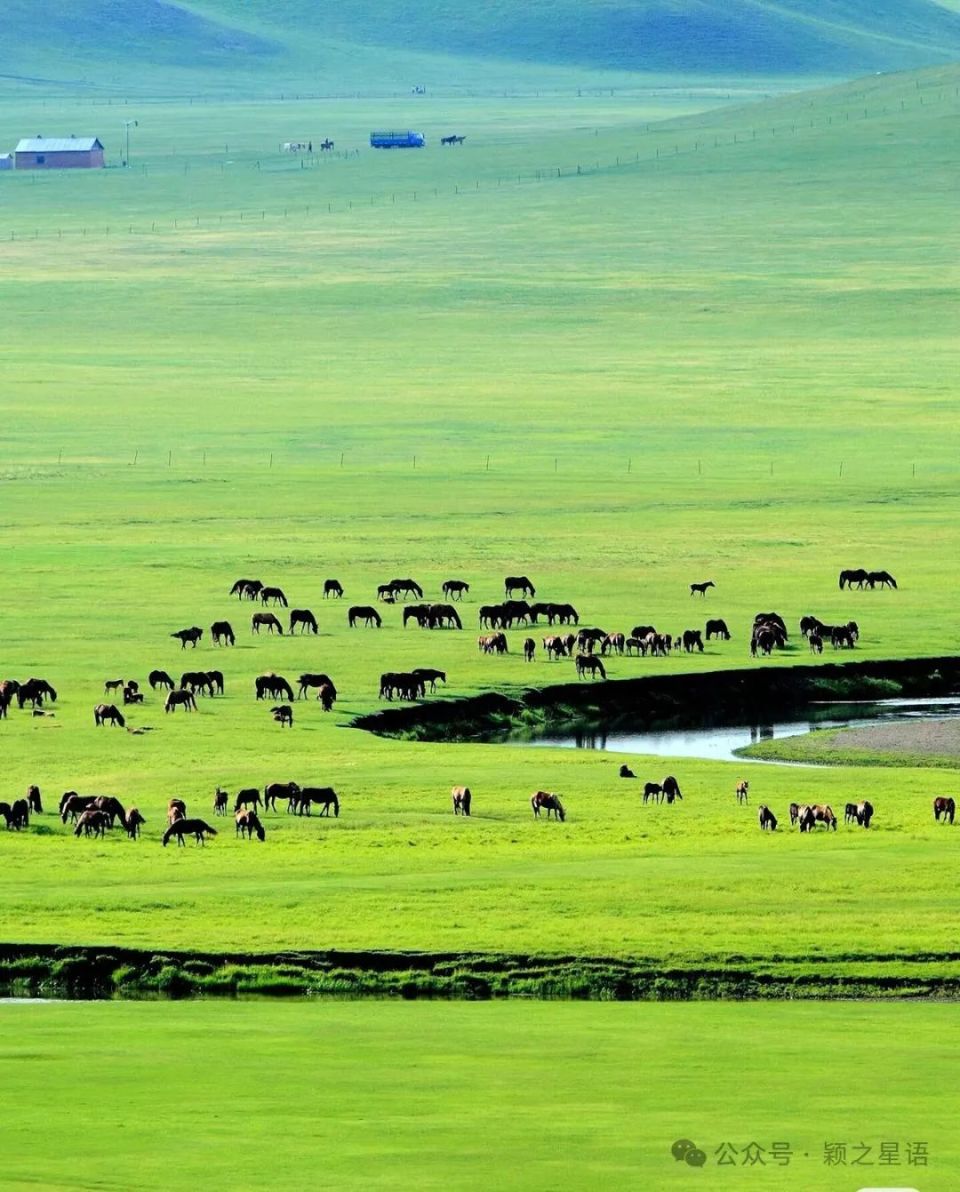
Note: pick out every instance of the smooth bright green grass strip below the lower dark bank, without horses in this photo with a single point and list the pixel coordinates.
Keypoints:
(429, 1096)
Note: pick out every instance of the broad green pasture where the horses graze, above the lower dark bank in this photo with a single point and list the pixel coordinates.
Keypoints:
(736, 364)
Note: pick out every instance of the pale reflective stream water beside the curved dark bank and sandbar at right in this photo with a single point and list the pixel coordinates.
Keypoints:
(720, 743)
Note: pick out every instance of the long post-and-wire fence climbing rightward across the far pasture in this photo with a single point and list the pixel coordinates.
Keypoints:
(338, 206)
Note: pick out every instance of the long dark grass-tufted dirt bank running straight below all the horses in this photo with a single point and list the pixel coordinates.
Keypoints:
(101, 972)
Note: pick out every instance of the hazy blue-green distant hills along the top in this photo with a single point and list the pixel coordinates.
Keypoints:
(213, 44)
